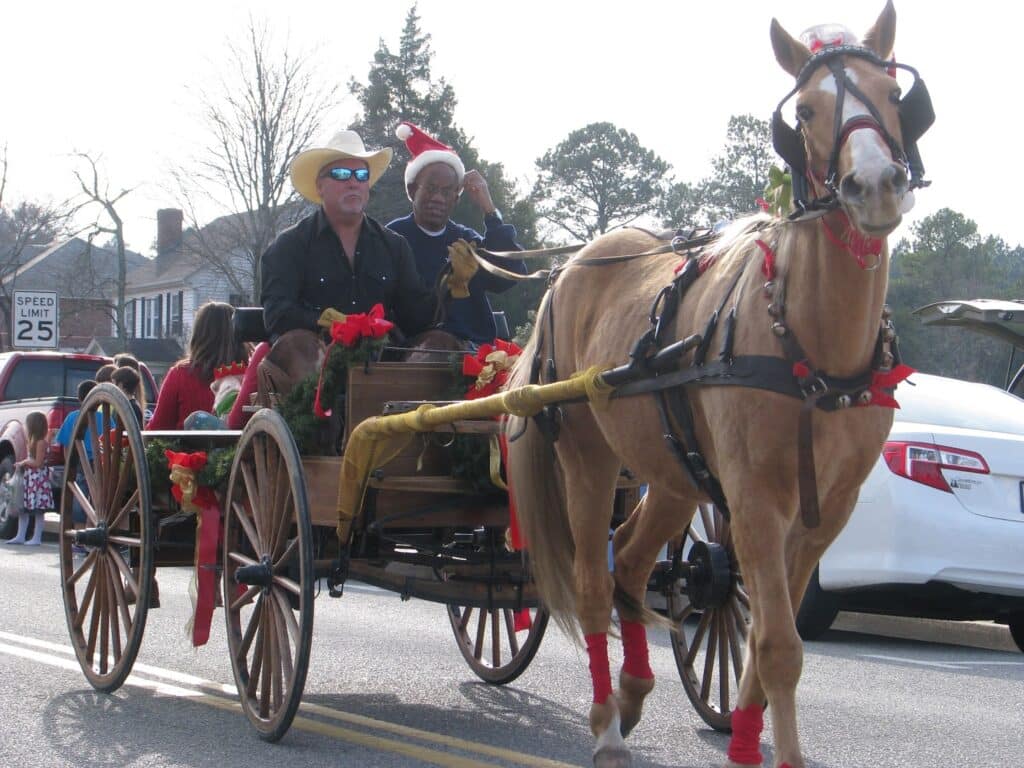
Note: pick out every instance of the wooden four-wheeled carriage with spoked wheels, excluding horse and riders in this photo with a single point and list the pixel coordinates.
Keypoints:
(421, 533)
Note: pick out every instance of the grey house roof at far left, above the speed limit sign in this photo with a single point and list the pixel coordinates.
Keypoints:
(74, 268)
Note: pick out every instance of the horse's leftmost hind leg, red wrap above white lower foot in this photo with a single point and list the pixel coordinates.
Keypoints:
(589, 493)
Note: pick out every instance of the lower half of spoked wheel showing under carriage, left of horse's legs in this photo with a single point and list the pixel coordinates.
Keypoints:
(490, 642)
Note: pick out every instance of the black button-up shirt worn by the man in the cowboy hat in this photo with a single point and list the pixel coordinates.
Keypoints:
(306, 271)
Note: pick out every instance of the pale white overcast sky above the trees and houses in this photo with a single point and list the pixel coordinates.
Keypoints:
(119, 79)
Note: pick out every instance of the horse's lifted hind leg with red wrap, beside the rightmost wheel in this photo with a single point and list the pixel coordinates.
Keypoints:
(637, 543)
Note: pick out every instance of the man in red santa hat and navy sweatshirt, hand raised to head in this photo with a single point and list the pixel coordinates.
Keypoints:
(435, 180)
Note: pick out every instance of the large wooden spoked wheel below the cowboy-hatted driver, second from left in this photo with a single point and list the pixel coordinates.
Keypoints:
(269, 575)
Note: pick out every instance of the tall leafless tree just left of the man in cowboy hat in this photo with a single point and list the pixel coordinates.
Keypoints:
(266, 110)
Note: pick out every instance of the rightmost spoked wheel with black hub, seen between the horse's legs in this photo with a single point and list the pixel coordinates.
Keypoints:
(711, 612)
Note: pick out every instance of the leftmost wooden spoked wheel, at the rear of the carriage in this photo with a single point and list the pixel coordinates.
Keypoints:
(107, 566)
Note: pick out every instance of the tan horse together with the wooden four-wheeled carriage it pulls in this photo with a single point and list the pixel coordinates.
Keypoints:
(770, 361)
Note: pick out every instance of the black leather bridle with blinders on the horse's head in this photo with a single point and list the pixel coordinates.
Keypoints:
(916, 116)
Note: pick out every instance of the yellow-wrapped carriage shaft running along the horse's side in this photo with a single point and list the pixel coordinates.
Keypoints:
(377, 441)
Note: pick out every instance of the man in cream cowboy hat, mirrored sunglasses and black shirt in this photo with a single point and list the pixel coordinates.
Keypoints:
(337, 257)
